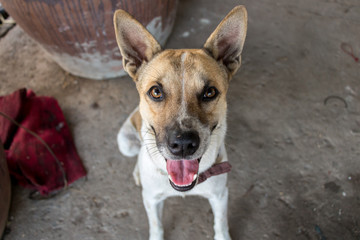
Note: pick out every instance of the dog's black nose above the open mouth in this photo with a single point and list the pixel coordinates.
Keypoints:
(183, 144)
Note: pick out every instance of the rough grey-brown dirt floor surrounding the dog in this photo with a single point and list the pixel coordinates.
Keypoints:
(295, 156)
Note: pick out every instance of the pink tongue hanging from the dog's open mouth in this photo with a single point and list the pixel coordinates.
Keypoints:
(182, 171)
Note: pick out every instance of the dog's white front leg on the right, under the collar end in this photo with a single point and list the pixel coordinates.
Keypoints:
(218, 204)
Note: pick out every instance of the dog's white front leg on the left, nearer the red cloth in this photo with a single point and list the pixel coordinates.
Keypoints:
(154, 207)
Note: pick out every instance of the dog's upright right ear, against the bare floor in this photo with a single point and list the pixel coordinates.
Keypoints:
(225, 44)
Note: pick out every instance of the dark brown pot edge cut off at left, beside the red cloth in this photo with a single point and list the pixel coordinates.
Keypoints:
(5, 191)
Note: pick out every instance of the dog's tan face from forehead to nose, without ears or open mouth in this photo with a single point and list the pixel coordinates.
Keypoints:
(182, 97)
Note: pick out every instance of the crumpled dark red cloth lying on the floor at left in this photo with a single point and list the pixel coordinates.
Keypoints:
(29, 160)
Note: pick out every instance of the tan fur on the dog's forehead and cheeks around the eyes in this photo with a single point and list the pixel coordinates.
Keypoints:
(197, 70)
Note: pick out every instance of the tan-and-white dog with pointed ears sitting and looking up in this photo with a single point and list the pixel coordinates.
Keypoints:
(179, 127)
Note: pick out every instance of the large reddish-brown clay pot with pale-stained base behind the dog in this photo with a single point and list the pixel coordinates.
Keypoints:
(79, 35)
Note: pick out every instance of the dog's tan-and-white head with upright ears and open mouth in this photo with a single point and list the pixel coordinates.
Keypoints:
(182, 92)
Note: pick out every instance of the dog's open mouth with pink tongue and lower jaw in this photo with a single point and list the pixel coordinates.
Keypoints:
(182, 173)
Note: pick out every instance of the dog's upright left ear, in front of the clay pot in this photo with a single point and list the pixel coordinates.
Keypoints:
(137, 45)
